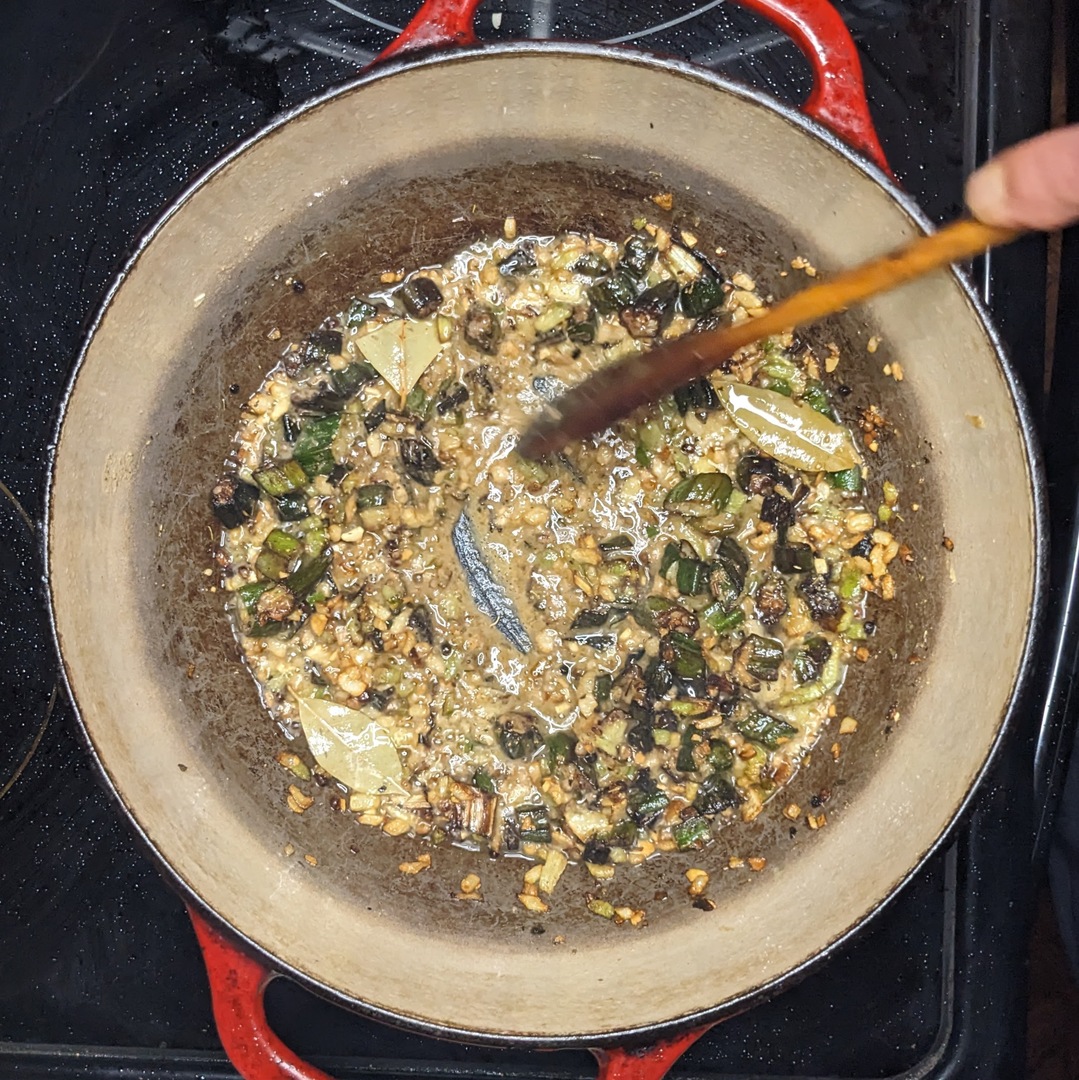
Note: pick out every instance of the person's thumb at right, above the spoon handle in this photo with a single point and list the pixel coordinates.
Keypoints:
(1034, 185)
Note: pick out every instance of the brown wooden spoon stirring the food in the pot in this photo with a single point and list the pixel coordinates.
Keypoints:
(617, 390)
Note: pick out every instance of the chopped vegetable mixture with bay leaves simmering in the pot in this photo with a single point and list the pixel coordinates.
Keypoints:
(596, 657)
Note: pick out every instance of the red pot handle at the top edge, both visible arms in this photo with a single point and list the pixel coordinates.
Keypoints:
(839, 97)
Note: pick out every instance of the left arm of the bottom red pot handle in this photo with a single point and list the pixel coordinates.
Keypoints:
(237, 987)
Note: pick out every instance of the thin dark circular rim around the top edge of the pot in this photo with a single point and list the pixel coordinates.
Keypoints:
(650, 1033)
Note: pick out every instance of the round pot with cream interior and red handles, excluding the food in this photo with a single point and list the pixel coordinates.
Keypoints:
(399, 170)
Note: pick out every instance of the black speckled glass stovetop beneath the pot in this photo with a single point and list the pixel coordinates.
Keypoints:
(109, 110)
